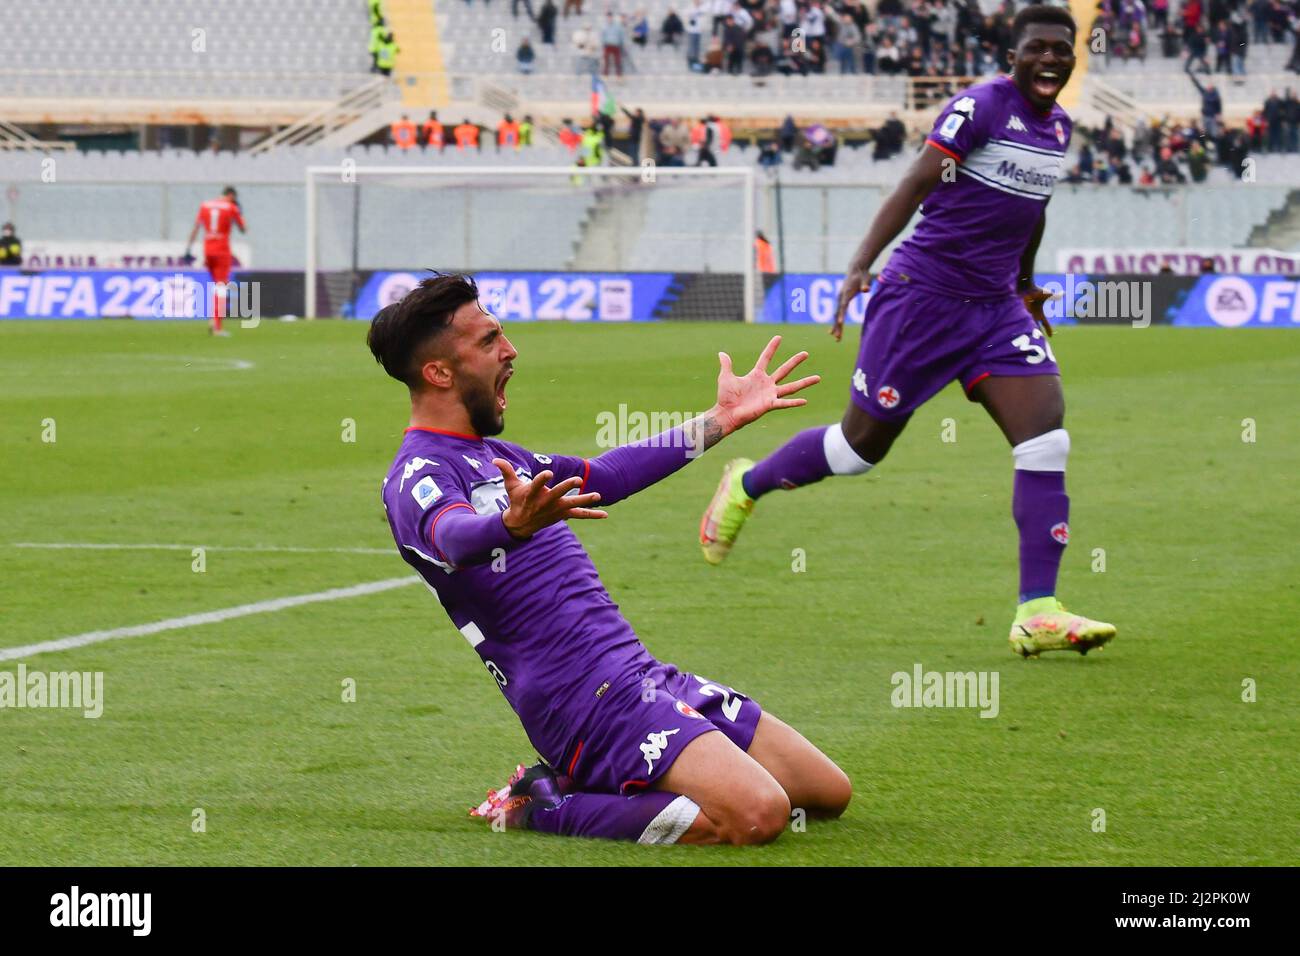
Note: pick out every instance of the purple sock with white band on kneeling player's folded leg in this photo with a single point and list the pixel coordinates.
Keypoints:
(651, 817)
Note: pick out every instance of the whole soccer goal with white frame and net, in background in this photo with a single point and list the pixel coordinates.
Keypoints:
(681, 236)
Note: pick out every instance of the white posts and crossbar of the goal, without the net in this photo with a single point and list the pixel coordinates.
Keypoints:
(348, 172)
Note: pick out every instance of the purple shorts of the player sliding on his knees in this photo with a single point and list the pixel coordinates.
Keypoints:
(644, 724)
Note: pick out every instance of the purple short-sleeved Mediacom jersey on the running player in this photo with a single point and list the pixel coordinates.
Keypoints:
(977, 226)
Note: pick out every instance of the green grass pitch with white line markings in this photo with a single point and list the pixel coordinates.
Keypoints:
(163, 438)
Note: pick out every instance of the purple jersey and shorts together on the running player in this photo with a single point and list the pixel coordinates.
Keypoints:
(946, 306)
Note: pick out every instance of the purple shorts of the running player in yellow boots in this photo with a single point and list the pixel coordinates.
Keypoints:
(916, 341)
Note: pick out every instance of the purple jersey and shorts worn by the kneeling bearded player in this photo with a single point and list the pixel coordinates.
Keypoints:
(539, 616)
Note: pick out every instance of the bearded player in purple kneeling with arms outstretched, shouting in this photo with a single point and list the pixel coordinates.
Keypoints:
(627, 743)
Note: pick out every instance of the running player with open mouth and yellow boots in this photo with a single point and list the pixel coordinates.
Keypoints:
(957, 301)
